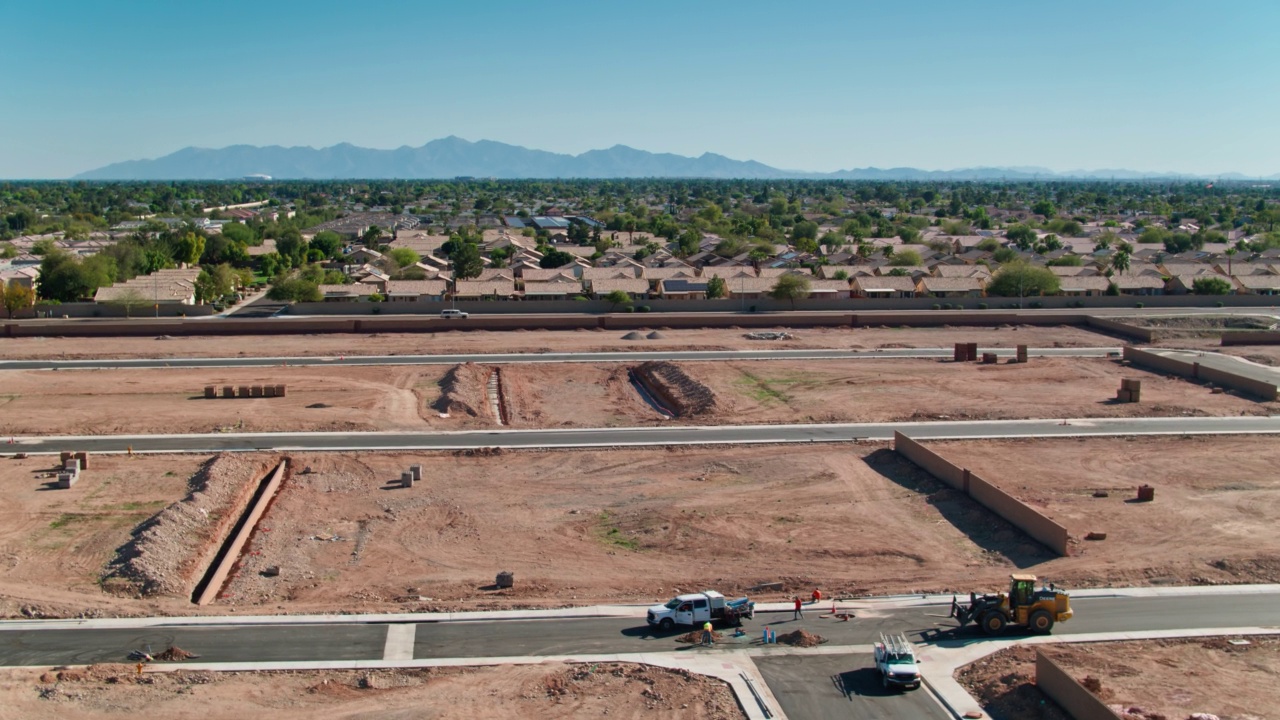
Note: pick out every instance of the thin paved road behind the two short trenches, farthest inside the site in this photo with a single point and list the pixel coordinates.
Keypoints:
(516, 358)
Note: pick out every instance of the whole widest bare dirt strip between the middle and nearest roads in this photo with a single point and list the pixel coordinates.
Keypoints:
(616, 526)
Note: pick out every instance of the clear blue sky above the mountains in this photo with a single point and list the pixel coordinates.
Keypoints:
(1168, 85)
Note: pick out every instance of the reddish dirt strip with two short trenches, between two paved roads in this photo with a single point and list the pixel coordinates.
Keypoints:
(418, 398)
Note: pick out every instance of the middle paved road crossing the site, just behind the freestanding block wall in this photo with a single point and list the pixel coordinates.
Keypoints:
(652, 436)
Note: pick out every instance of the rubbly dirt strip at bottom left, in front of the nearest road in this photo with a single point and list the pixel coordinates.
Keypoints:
(550, 690)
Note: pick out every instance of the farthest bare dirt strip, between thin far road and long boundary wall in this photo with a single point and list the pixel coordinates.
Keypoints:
(540, 341)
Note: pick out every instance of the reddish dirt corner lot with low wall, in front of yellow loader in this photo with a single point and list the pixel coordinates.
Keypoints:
(1171, 678)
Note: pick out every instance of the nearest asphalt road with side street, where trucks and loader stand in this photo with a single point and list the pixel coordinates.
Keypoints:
(808, 685)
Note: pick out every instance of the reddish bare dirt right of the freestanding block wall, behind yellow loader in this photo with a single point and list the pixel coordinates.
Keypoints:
(1218, 500)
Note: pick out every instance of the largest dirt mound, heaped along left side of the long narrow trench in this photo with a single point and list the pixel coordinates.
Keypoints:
(168, 554)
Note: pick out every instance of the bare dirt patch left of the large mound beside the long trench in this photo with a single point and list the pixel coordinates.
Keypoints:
(54, 544)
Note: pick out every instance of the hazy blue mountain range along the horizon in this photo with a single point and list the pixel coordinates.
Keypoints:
(454, 157)
